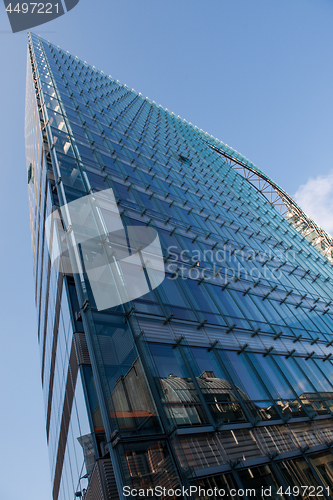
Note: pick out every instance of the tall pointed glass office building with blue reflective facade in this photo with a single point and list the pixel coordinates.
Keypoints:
(219, 377)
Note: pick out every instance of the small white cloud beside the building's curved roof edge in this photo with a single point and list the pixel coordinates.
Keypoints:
(316, 199)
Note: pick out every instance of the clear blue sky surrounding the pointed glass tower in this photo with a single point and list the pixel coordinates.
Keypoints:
(255, 74)
